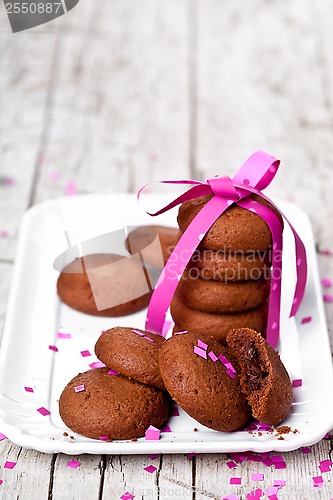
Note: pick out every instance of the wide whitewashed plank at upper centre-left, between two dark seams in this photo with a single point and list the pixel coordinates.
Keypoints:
(128, 124)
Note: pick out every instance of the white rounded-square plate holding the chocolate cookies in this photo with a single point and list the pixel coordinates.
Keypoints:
(35, 315)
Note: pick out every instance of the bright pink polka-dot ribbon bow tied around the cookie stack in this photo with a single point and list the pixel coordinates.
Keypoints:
(254, 175)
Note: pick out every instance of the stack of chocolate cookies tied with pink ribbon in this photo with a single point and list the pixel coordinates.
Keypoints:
(227, 281)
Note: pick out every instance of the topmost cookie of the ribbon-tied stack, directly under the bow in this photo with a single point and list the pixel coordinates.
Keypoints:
(236, 229)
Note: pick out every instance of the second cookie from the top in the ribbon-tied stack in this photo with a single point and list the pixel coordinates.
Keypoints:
(239, 266)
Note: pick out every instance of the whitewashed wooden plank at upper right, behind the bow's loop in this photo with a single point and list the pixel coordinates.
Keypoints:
(259, 87)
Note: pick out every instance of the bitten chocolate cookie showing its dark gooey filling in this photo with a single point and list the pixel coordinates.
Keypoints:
(264, 379)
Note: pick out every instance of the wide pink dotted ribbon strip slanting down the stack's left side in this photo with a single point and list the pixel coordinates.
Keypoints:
(182, 253)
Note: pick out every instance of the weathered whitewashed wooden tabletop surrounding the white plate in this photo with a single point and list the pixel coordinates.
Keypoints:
(116, 94)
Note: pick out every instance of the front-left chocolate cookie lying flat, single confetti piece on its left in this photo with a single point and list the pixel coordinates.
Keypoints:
(112, 406)
